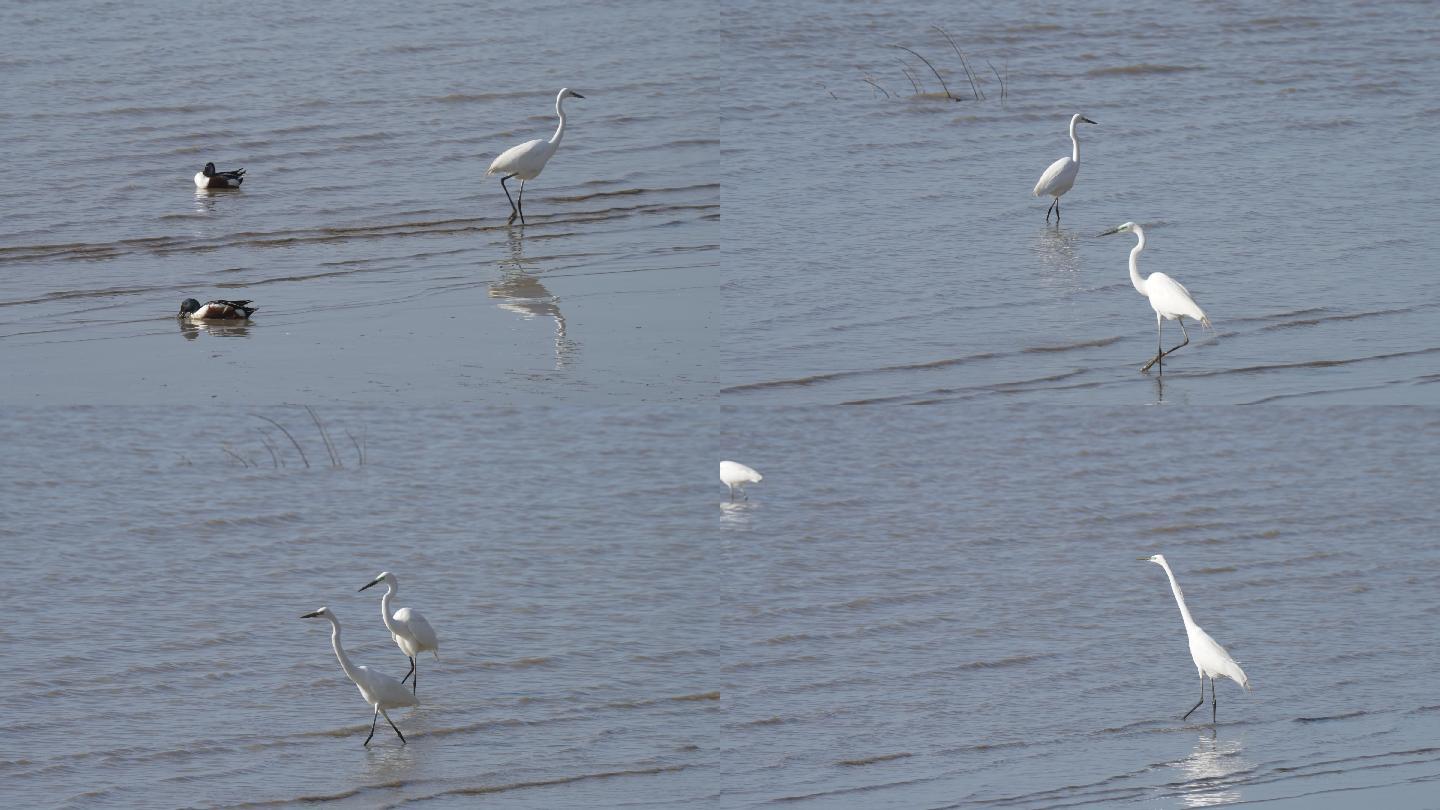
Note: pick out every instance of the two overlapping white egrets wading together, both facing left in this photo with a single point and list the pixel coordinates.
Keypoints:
(411, 632)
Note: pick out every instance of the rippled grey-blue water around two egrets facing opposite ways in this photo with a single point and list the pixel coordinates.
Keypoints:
(889, 250)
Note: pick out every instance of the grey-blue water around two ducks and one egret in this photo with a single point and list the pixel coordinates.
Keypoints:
(378, 253)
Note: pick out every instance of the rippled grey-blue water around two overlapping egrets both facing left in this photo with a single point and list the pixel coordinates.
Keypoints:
(162, 661)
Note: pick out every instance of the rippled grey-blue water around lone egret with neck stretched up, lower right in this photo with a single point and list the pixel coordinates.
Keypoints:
(940, 612)
